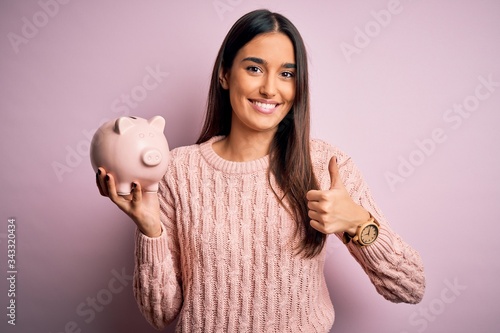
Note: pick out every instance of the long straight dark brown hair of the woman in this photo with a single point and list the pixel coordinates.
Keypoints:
(290, 158)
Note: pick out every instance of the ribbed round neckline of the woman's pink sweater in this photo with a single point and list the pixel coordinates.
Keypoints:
(221, 164)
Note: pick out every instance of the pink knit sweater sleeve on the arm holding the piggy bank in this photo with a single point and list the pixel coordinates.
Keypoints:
(157, 274)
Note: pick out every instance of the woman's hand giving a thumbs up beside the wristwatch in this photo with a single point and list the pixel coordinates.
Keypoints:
(333, 210)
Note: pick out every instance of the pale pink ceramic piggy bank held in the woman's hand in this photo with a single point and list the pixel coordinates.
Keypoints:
(131, 149)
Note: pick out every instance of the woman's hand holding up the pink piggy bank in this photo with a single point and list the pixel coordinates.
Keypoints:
(142, 207)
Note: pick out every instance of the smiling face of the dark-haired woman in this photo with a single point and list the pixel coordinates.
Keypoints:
(261, 83)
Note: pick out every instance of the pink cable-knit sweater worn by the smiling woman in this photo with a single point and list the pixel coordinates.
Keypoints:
(225, 261)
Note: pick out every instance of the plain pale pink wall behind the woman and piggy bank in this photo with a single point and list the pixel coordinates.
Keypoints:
(65, 69)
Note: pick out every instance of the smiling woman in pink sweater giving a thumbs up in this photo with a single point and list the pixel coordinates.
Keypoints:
(234, 240)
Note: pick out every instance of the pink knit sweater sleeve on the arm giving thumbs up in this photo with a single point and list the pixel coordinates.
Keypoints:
(393, 266)
